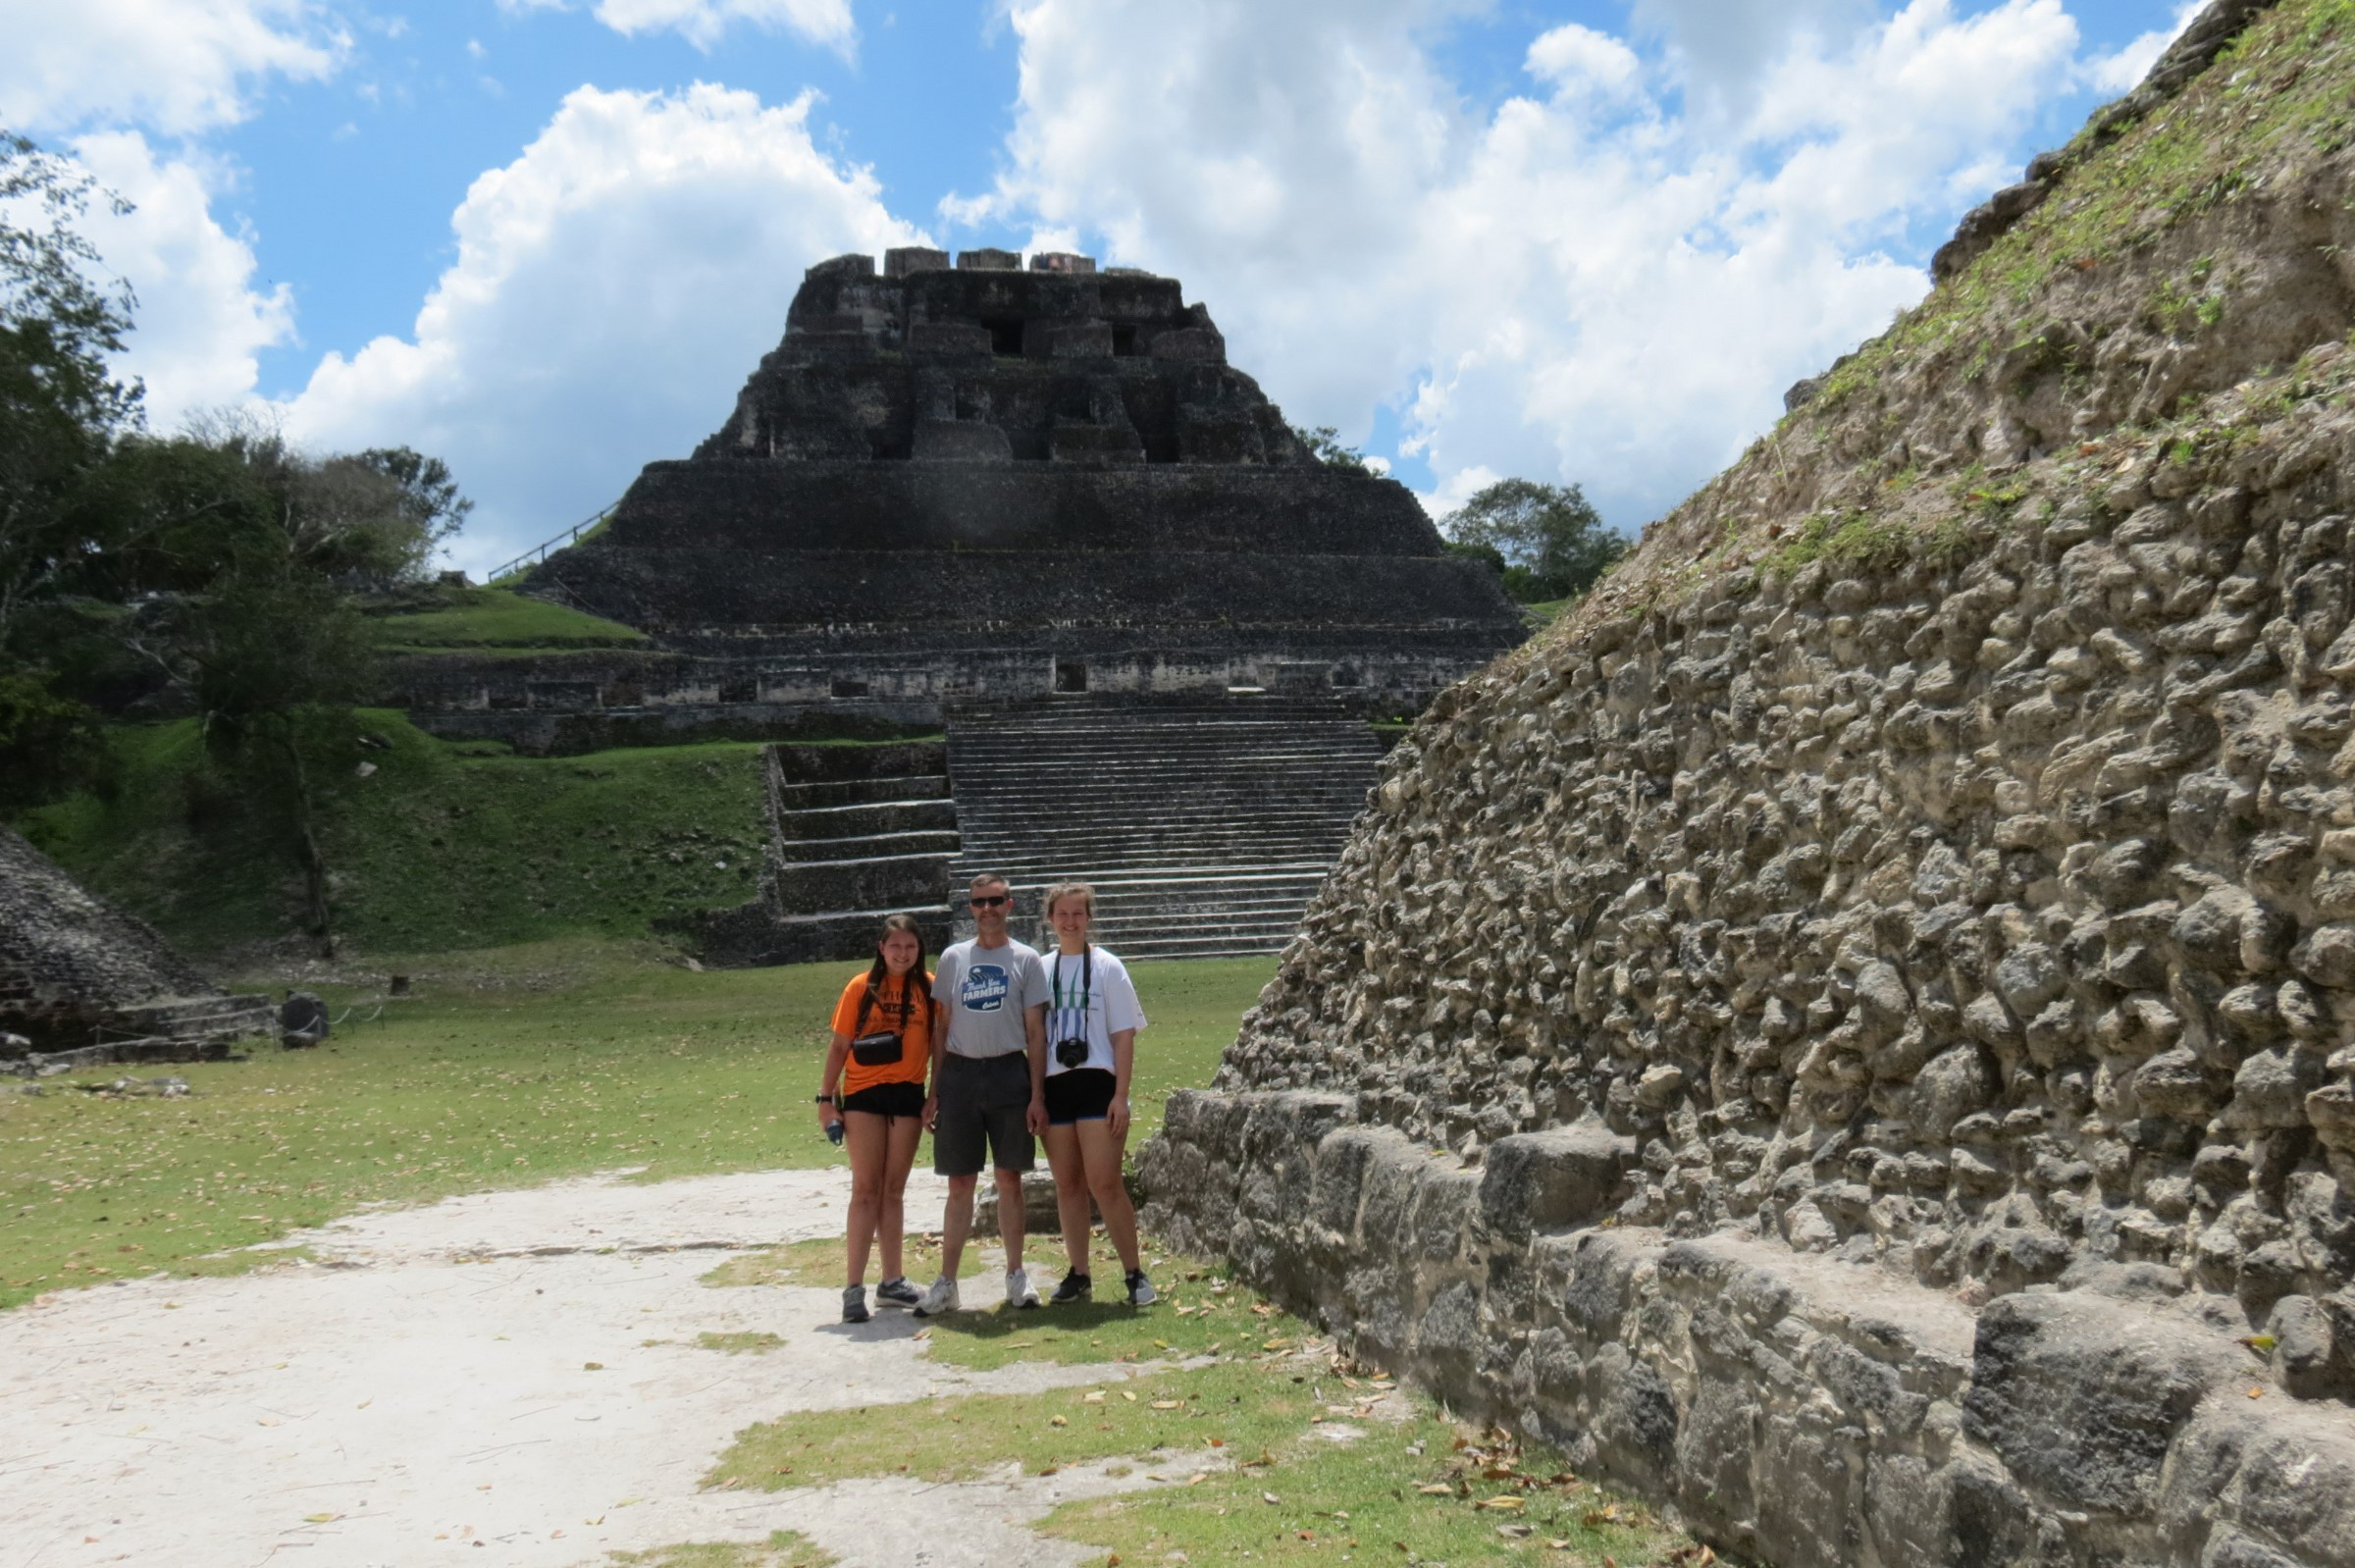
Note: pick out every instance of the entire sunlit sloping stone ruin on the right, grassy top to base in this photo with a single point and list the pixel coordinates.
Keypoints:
(1866, 1056)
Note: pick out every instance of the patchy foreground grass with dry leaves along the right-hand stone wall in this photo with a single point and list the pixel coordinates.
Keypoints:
(1311, 1454)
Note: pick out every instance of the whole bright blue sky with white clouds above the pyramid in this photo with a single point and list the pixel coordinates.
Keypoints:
(548, 239)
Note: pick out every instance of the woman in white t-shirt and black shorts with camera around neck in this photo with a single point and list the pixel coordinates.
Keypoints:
(1092, 1035)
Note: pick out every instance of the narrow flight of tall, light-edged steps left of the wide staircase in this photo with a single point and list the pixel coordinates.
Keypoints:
(856, 835)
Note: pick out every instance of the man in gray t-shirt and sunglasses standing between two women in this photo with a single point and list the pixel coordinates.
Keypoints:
(988, 1084)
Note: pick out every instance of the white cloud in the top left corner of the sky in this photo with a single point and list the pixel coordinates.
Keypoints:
(175, 67)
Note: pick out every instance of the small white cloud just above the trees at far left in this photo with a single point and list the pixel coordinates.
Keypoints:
(201, 324)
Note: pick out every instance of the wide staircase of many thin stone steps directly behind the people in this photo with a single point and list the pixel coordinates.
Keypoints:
(1202, 823)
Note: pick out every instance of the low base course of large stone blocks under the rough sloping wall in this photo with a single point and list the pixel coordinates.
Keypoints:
(1786, 1407)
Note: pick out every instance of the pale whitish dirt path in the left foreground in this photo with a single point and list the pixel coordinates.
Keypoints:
(427, 1395)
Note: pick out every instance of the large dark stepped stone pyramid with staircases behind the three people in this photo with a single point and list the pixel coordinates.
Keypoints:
(1040, 512)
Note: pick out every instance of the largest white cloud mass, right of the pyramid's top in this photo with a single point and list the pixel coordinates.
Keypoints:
(1614, 300)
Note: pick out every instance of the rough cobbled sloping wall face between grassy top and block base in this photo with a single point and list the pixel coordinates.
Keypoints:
(1984, 912)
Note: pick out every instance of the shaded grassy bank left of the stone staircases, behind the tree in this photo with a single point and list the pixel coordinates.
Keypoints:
(437, 846)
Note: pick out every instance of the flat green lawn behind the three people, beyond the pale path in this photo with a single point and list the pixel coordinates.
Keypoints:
(510, 1068)
